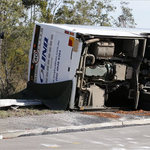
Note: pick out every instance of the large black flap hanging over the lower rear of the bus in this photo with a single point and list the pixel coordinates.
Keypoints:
(55, 96)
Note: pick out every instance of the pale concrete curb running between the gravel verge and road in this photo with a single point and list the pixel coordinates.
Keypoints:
(21, 133)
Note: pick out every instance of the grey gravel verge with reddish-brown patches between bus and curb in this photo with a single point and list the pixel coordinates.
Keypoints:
(64, 119)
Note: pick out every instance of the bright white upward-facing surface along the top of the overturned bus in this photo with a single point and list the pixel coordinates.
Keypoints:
(103, 31)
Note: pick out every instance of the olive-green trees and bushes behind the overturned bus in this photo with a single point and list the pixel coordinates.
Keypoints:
(17, 18)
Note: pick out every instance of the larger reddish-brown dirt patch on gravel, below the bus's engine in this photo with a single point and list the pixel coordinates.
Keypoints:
(102, 114)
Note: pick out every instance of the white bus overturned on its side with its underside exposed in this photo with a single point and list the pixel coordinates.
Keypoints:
(89, 67)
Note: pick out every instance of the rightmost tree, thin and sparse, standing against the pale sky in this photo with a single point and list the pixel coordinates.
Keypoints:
(126, 18)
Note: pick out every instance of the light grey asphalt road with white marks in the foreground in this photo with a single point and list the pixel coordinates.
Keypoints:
(127, 138)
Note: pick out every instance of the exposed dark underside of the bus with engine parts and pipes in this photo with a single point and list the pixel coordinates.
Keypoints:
(113, 72)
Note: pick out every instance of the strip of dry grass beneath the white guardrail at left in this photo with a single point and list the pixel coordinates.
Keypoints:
(26, 111)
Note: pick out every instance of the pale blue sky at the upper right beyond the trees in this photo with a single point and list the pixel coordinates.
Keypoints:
(141, 11)
